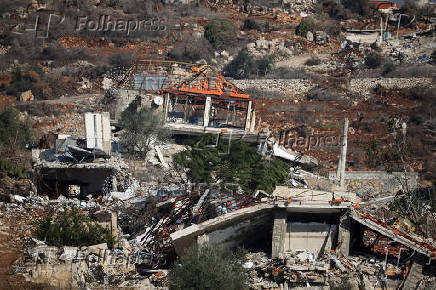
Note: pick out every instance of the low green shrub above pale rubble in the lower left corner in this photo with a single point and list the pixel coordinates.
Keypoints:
(72, 228)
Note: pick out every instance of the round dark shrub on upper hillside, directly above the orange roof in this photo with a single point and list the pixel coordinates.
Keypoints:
(221, 33)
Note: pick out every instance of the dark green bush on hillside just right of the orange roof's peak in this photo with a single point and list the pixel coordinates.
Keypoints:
(244, 65)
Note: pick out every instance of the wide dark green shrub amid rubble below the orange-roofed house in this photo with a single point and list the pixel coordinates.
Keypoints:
(243, 166)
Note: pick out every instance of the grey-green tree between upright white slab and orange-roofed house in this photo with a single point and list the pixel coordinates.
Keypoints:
(141, 129)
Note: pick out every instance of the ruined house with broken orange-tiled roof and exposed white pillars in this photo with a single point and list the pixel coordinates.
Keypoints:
(193, 99)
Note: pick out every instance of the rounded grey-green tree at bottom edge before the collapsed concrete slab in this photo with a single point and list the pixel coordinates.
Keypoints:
(208, 267)
